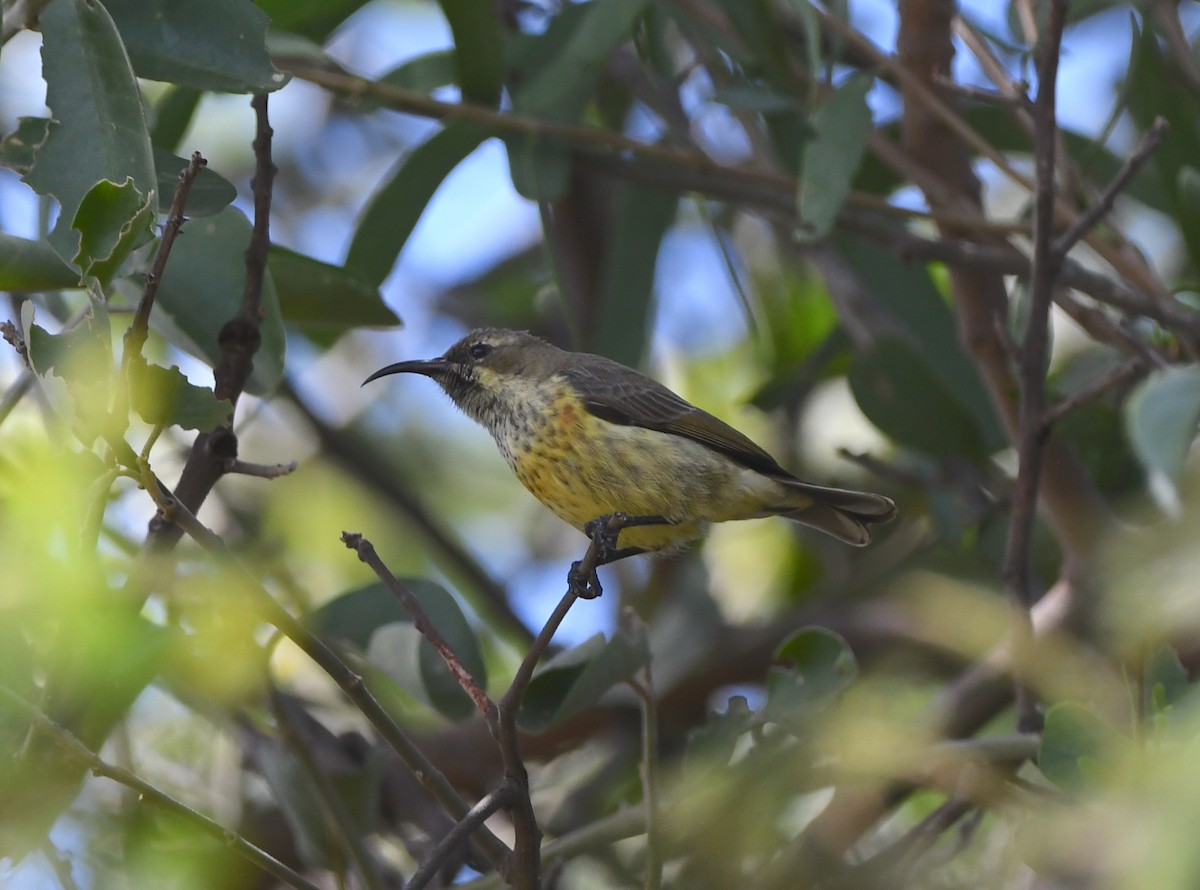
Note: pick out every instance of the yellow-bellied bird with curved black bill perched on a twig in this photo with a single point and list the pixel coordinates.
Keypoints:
(593, 440)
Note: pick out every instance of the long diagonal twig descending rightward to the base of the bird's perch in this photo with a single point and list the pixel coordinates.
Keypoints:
(350, 682)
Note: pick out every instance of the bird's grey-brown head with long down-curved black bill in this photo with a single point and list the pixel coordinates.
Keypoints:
(489, 372)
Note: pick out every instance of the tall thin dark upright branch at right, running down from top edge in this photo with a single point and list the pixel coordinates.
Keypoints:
(1033, 370)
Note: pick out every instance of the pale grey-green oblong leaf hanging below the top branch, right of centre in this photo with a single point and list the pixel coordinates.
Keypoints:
(842, 129)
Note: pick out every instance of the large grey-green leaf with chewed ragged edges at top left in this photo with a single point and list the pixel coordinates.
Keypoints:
(99, 129)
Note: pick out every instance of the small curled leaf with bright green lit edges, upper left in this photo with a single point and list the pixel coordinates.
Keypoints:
(112, 221)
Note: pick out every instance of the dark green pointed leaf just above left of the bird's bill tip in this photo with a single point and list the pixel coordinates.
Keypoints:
(321, 297)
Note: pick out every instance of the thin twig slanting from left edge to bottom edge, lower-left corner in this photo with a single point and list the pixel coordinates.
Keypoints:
(147, 792)
